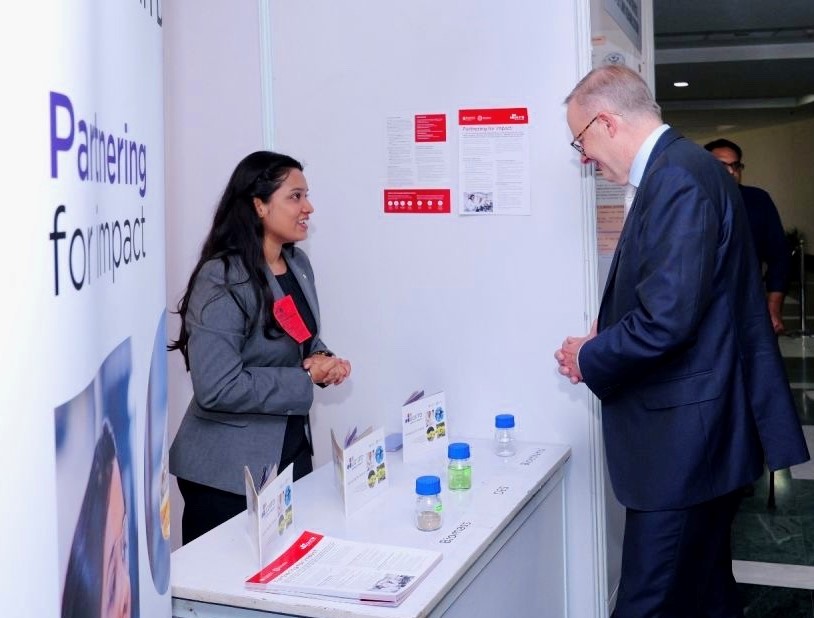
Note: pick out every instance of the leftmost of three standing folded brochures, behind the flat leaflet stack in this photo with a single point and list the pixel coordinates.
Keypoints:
(270, 509)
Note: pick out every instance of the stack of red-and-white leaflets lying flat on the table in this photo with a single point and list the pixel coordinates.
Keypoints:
(324, 567)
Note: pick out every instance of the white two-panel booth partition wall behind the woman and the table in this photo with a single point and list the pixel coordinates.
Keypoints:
(474, 306)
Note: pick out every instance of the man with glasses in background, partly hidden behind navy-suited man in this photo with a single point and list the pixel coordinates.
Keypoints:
(767, 230)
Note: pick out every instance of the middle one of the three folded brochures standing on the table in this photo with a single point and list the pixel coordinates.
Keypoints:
(361, 468)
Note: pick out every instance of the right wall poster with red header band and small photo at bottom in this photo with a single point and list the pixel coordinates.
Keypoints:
(493, 155)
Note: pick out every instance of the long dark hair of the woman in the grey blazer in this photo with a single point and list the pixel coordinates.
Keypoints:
(237, 231)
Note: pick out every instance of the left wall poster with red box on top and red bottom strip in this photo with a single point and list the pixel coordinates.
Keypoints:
(418, 165)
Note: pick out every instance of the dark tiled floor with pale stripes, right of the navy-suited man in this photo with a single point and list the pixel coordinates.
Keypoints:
(783, 535)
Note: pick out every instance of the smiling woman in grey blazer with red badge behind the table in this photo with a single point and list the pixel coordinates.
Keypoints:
(250, 340)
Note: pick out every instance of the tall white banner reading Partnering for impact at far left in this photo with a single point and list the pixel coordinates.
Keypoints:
(83, 249)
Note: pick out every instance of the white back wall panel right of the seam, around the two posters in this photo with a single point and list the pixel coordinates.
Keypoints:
(471, 306)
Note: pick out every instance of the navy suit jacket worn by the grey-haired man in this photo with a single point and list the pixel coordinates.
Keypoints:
(693, 388)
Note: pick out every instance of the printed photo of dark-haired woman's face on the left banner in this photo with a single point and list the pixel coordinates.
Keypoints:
(97, 518)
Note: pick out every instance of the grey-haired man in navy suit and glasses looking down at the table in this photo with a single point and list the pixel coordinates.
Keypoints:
(682, 355)
